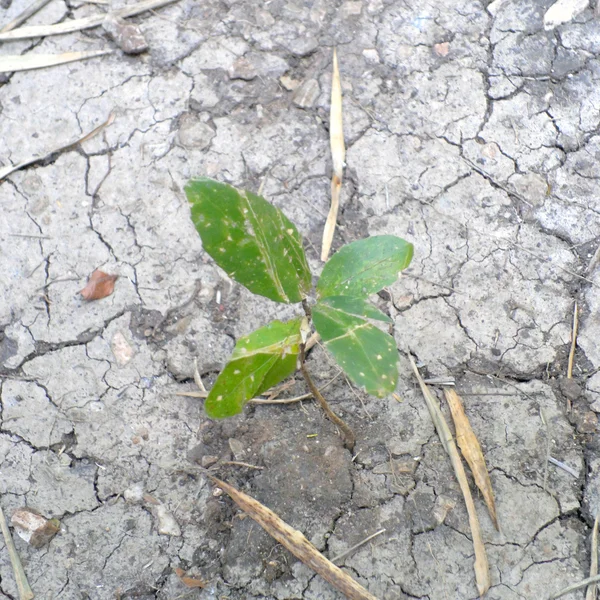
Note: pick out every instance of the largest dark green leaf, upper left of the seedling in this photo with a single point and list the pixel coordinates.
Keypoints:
(250, 239)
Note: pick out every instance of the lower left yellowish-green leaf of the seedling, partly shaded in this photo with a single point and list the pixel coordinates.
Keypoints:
(259, 361)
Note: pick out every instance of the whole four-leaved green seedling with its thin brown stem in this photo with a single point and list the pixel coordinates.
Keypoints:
(256, 244)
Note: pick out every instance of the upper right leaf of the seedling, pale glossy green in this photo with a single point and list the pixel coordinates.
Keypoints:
(365, 267)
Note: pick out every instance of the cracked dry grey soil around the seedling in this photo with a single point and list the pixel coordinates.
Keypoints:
(471, 132)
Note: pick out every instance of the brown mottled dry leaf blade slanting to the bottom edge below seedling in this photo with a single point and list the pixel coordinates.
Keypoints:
(296, 543)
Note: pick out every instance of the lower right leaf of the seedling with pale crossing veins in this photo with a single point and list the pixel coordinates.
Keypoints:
(367, 354)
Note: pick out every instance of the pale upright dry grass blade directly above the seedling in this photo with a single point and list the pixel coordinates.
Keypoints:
(338, 155)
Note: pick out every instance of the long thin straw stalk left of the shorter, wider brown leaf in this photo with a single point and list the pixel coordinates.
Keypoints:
(482, 571)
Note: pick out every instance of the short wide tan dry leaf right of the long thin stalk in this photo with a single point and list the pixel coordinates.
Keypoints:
(471, 450)
